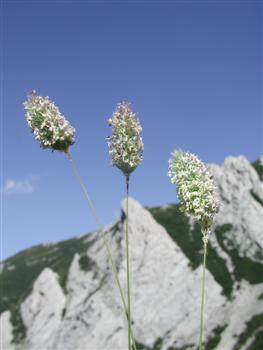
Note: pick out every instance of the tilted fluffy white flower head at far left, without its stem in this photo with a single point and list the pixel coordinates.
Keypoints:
(49, 126)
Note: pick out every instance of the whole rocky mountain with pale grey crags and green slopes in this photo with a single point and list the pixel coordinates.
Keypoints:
(63, 297)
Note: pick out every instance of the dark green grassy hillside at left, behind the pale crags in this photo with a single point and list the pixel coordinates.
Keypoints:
(21, 270)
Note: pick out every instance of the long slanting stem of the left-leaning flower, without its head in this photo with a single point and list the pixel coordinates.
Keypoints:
(102, 236)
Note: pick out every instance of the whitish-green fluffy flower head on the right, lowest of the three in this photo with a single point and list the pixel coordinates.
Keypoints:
(195, 187)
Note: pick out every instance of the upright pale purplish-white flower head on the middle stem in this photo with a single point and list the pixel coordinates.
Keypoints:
(125, 143)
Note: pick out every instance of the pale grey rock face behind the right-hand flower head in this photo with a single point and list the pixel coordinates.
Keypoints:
(241, 195)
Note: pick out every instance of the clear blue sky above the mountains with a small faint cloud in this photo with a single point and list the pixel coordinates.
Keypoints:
(191, 69)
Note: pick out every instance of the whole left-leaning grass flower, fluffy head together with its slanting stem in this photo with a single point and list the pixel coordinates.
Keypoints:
(53, 131)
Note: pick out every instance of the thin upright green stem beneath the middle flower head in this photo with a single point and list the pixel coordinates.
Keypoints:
(127, 261)
